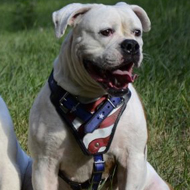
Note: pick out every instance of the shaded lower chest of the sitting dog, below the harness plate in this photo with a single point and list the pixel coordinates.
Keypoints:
(79, 167)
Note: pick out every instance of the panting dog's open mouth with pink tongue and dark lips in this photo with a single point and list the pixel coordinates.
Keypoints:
(113, 80)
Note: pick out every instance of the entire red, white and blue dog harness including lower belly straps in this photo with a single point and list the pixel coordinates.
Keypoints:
(93, 126)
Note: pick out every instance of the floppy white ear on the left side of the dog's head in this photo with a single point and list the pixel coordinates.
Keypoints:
(68, 15)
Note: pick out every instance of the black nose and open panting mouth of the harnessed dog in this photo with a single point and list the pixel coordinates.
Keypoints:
(115, 80)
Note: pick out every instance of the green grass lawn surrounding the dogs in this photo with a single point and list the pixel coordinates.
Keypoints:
(26, 58)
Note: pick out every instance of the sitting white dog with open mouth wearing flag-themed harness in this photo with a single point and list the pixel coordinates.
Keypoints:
(96, 60)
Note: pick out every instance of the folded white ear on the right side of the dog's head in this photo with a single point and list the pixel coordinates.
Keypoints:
(140, 12)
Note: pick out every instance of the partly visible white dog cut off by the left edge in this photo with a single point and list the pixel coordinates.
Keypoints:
(15, 165)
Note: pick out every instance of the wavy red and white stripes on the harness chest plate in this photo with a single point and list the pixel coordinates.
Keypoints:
(99, 139)
